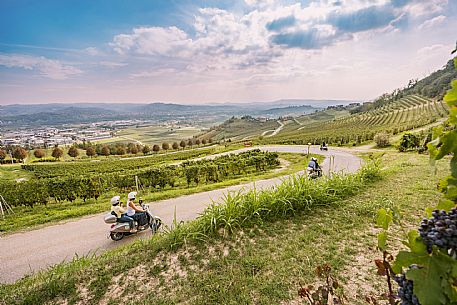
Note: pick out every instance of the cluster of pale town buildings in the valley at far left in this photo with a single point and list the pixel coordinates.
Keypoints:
(53, 136)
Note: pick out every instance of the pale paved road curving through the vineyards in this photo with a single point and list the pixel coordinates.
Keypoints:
(24, 253)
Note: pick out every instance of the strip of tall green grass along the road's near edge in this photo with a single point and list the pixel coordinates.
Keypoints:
(241, 209)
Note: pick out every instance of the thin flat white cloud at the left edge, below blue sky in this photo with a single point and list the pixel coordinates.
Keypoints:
(49, 68)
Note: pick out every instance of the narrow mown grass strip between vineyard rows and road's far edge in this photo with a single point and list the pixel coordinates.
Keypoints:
(27, 218)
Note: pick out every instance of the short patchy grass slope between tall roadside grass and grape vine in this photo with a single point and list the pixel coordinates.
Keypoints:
(267, 263)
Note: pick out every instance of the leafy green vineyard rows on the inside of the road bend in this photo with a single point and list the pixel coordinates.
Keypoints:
(64, 184)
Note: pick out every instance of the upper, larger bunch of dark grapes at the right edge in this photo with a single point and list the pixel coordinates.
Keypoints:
(440, 230)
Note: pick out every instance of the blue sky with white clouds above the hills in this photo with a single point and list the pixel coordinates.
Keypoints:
(195, 52)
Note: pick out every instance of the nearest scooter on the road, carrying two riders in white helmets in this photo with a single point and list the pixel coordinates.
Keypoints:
(120, 229)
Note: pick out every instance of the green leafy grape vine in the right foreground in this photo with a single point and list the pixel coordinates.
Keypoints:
(427, 272)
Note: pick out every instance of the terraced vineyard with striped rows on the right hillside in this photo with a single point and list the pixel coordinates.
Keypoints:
(407, 113)
